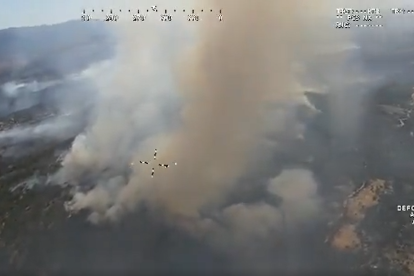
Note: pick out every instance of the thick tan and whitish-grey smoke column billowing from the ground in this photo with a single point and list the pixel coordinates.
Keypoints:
(226, 83)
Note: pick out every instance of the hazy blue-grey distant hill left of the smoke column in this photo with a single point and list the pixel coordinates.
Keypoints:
(50, 51)
